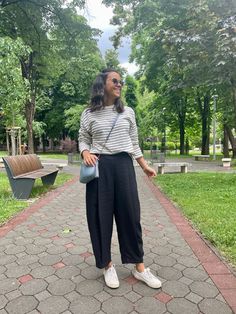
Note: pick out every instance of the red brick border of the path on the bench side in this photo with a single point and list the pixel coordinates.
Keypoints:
(23, 216)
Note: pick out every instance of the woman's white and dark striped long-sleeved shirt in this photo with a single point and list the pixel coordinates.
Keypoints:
(95, 126)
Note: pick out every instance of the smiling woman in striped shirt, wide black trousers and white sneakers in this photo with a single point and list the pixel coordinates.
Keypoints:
(114, 193)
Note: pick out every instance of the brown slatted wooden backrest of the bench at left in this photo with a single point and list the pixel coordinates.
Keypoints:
(23, 163)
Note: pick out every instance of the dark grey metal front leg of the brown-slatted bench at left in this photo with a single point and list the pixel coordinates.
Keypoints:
(22, 188)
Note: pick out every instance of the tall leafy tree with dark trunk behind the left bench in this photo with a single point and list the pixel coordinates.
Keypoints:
(34, 22)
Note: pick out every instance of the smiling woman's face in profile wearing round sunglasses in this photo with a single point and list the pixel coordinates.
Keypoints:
(113, 85)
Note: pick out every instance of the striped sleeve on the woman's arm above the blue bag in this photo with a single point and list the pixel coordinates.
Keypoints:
(85, 138)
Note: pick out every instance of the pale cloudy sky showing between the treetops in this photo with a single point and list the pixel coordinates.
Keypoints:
(98, 16)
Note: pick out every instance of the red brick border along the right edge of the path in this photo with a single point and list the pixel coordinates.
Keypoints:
(220, 274)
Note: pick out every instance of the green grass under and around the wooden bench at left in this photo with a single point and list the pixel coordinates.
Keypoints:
(10, 206)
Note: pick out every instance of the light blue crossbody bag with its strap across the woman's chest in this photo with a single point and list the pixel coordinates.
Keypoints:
(88, 173)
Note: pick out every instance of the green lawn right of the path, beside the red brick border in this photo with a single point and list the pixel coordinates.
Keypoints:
(208, 200)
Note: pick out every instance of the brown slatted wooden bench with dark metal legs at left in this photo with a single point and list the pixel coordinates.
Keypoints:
(23, 170)
